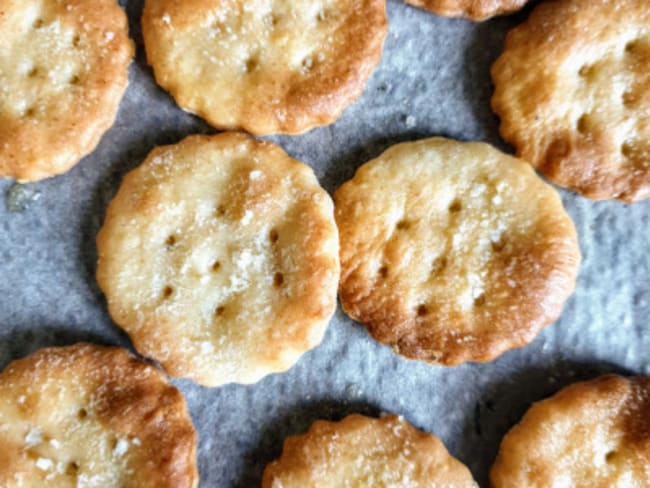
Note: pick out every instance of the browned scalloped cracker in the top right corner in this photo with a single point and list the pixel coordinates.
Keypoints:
(573, 93)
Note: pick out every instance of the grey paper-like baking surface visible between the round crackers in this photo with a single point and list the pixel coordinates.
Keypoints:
(433, 80)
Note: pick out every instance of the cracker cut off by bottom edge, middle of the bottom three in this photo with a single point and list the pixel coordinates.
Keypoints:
(365, 452)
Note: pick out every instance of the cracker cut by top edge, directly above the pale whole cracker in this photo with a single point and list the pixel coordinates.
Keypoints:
(264, 66)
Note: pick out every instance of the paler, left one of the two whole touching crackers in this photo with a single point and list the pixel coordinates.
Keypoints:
(219, 257)
